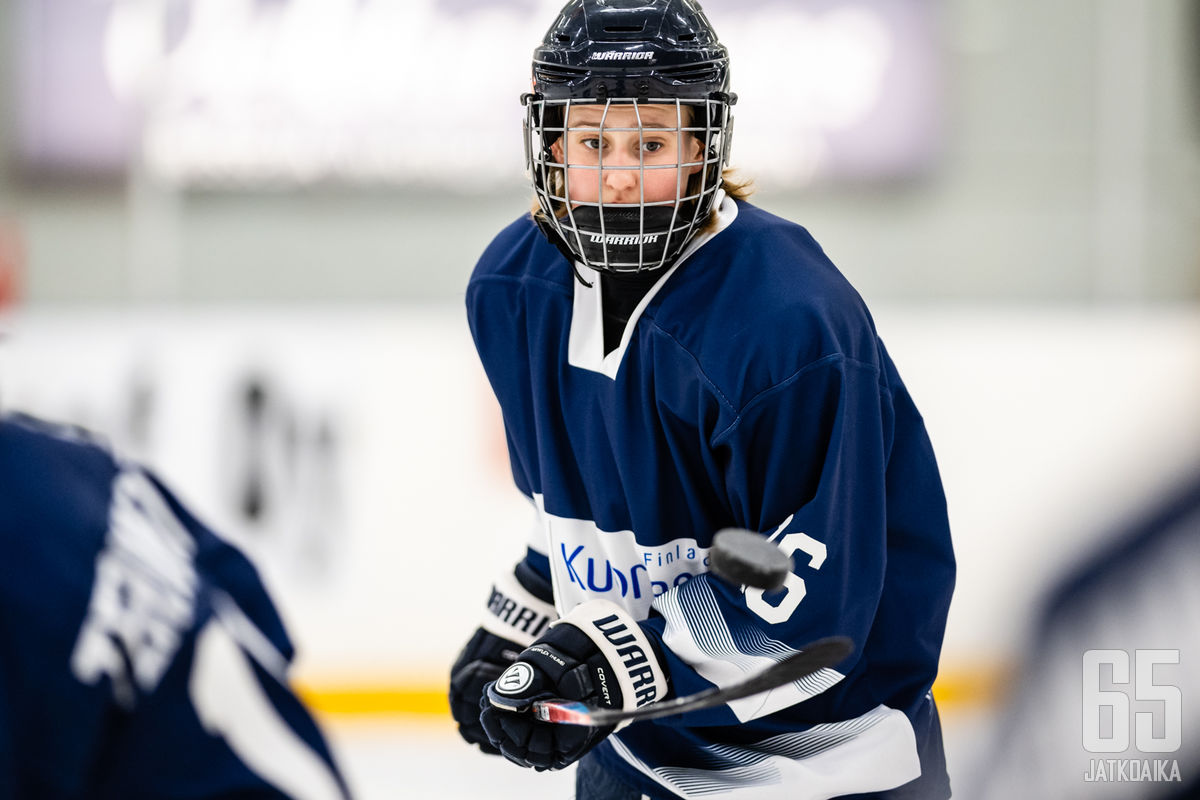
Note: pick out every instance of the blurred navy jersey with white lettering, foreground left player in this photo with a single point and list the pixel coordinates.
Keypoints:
(140, 654)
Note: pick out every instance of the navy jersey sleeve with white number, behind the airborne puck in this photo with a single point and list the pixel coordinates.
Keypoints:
(805, 462)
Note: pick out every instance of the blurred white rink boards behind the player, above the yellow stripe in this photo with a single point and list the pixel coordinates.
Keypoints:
(1051, 428)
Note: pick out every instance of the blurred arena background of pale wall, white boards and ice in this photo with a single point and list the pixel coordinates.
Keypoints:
(235, 239)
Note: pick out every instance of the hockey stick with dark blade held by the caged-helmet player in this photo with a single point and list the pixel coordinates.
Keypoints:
(818, 655)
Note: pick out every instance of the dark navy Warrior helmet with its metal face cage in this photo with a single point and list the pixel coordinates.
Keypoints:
(610, 53)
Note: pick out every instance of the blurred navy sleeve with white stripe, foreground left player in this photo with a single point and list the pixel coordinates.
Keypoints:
(223, 723)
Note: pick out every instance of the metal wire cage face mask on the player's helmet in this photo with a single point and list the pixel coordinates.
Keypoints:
(640, 233)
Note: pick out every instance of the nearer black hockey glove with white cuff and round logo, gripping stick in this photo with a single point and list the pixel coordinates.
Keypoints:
(597, 654)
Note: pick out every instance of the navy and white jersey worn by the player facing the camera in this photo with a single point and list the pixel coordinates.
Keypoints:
(749, 389)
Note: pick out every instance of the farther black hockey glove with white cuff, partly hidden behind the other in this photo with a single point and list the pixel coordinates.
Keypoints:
(518, 612)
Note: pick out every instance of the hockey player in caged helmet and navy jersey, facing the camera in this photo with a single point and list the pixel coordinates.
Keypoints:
(670, 362)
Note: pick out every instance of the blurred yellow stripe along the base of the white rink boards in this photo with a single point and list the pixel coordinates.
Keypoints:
(961, 689)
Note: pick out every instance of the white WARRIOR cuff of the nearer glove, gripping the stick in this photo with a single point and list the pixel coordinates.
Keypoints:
(629, 652)
